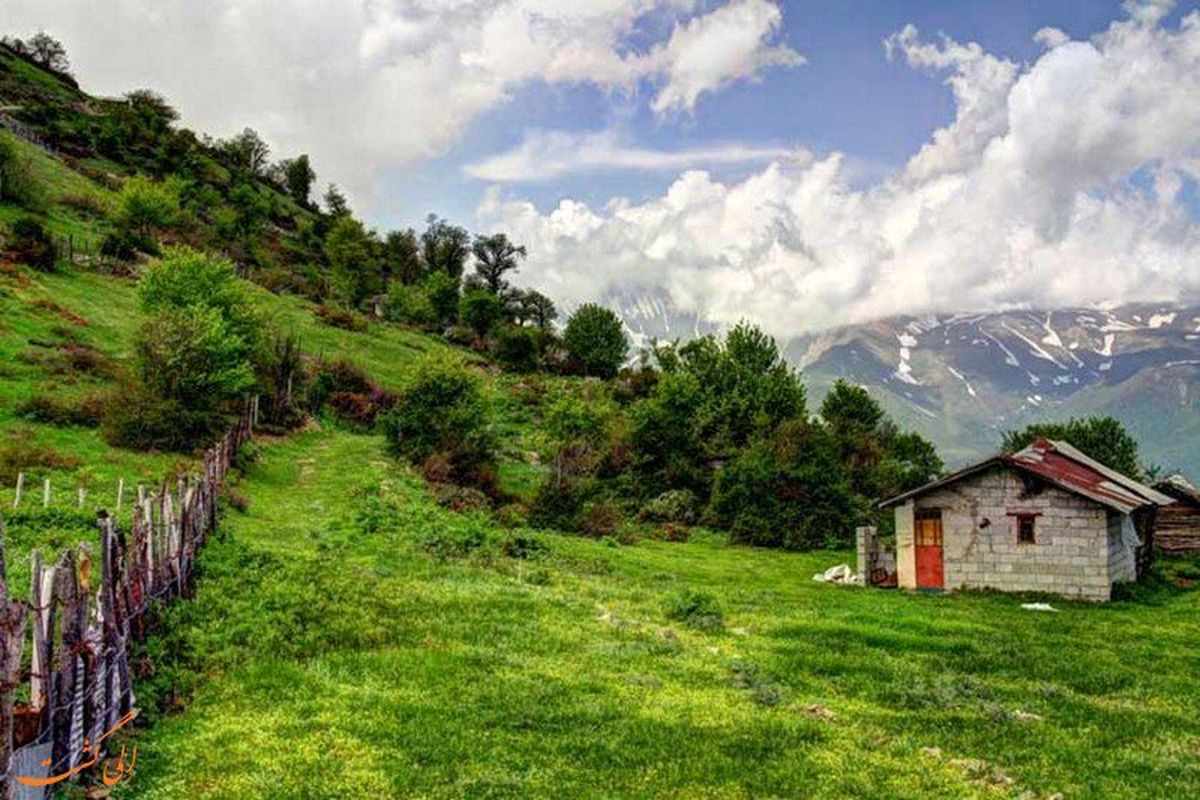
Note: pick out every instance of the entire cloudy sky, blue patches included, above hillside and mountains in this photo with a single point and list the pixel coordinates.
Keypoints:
(802, 165)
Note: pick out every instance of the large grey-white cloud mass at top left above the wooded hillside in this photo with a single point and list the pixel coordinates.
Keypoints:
(364, 86)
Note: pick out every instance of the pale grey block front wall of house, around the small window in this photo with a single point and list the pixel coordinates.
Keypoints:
(1072, 545)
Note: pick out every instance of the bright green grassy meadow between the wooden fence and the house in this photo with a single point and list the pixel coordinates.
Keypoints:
(340, 659)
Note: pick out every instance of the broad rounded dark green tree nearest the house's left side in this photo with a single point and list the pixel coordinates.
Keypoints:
(789, 491)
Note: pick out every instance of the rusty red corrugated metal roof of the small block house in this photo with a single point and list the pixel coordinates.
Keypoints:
(1063, 466)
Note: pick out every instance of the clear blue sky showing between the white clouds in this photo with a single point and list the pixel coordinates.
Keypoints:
(848, 98)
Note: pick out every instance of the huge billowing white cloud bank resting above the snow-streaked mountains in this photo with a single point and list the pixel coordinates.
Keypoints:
(1057, 184)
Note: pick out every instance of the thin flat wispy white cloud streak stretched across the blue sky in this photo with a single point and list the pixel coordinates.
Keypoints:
(545, 155)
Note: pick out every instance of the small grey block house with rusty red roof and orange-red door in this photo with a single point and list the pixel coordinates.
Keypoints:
(1047, 519)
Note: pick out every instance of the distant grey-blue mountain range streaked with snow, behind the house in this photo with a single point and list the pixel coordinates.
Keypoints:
(964, 380)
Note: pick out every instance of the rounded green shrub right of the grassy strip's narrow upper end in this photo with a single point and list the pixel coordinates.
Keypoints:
(442, 410)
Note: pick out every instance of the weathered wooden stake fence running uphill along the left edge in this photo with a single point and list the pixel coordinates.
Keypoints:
(82, 625)
